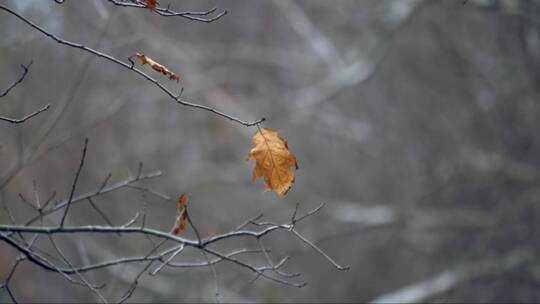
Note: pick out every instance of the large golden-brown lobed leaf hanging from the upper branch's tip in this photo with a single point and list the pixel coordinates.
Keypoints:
(273, 161)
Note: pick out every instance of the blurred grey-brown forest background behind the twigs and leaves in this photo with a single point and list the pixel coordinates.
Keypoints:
(415, 121)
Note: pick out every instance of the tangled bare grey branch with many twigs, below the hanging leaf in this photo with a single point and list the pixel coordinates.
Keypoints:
(56, 261)
